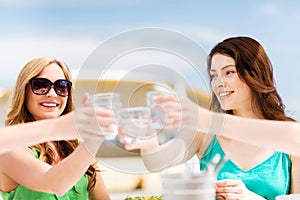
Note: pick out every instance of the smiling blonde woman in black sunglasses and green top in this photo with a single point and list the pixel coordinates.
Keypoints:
(55, 169)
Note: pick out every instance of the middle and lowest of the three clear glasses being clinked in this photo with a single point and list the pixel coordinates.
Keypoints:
(135, 123)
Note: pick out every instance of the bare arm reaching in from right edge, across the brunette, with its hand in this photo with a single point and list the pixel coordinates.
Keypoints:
(281, 136)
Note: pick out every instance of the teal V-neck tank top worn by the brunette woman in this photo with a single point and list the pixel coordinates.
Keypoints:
(267, 179)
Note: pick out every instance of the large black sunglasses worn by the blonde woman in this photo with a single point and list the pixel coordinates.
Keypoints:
(42, 86)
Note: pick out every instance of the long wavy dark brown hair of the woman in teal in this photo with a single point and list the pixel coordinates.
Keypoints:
(255, 69)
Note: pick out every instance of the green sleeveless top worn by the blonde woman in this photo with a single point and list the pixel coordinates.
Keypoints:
(78, 192)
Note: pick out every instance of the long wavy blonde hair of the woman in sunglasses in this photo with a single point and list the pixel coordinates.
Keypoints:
(19, 113)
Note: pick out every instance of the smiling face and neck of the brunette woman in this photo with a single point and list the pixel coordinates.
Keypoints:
(232, 92)
